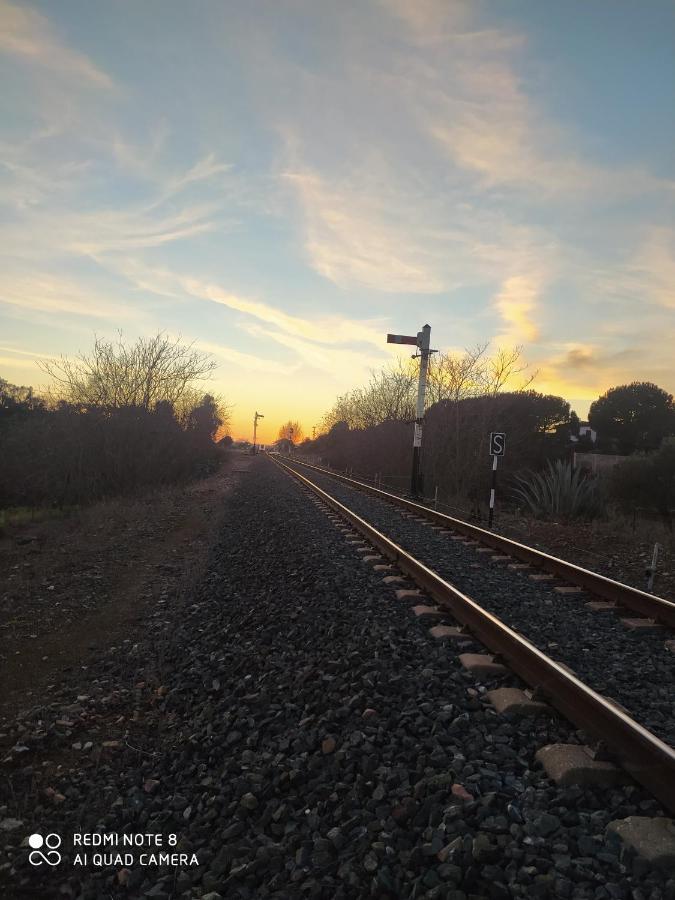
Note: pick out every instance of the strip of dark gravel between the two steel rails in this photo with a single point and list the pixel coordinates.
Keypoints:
(635, 670)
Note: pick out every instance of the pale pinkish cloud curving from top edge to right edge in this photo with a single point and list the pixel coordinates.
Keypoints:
(473, 103)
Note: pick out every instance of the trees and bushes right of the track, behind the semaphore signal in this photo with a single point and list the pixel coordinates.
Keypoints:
(470, 394)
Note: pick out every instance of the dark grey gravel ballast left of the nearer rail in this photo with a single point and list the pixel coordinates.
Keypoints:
(308, 739)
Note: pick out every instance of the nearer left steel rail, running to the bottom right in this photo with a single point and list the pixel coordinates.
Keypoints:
(642, 754)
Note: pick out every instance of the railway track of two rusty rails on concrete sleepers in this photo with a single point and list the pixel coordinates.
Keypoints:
(649, 759)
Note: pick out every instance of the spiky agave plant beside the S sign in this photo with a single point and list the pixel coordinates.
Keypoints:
(560, 492)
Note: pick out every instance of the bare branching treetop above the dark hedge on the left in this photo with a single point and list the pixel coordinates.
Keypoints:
(115, 374)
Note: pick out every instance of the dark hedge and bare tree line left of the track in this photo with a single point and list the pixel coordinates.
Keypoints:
(117, 419)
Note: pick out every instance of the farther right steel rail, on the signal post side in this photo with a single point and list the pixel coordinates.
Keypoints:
(649, 605)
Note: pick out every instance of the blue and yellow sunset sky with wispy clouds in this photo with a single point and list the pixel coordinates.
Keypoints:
(283, 182)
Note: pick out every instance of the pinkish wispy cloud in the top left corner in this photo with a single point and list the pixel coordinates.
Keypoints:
(28, 35)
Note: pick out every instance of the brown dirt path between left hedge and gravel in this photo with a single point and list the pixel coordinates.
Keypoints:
(71, 587)
